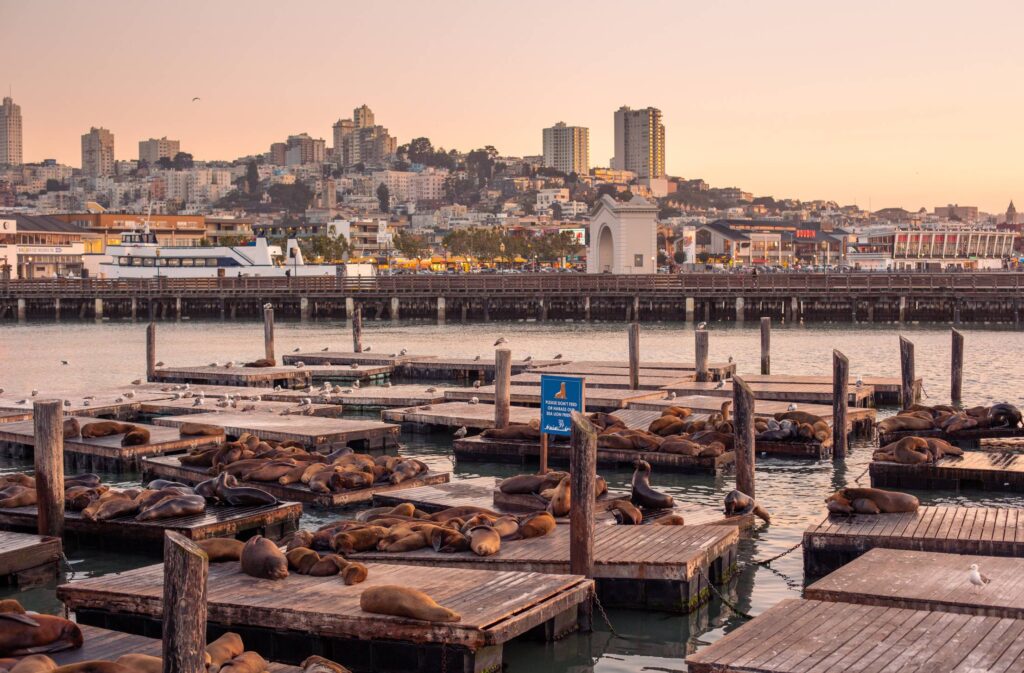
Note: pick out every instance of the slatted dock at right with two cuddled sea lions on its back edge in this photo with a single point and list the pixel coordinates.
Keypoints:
(838, 540)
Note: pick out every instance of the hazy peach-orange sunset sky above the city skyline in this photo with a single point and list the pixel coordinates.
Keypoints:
(876, 104)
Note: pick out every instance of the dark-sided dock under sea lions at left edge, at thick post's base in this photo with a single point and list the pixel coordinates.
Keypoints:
(126, 533)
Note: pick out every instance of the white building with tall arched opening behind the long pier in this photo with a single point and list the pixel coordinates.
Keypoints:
(623, 237)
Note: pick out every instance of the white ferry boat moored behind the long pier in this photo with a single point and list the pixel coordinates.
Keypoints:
(139, 256)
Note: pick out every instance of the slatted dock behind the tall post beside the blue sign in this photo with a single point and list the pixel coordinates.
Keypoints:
(638, 567)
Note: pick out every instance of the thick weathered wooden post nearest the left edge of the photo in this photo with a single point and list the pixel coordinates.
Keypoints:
(48, 422)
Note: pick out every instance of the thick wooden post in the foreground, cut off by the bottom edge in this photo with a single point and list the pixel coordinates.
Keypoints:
(186, 570)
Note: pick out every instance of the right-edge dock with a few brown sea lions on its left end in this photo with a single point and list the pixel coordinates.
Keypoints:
(975, 471)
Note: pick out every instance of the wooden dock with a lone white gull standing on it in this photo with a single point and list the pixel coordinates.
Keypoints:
(926, 580)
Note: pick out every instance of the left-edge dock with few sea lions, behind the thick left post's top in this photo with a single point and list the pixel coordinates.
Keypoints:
(104, 453)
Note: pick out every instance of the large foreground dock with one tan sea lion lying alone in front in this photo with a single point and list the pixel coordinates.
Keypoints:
(300, 616)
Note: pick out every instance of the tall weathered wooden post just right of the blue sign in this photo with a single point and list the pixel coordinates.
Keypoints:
(583, 472)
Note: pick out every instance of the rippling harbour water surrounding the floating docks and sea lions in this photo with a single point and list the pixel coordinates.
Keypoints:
(112, 354)
